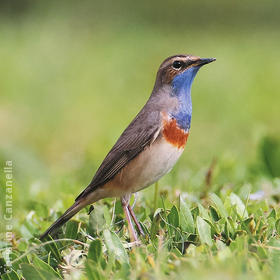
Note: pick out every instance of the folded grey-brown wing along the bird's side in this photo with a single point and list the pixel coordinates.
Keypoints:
(141, 132)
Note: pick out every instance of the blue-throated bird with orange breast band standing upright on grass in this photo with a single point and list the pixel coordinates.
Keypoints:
(150, 145)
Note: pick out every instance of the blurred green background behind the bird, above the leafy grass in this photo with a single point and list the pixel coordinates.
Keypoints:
(73, 74)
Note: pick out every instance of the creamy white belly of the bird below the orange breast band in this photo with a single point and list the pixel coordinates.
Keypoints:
(154, 162)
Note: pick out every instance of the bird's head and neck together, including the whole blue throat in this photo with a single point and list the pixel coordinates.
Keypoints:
(174, 78)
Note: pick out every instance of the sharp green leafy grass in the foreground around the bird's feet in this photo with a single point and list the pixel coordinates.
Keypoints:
(219, 235)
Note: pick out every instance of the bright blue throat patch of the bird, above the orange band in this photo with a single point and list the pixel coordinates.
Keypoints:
(181, 85)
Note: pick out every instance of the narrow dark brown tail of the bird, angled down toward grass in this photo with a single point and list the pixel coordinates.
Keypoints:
(68, 214)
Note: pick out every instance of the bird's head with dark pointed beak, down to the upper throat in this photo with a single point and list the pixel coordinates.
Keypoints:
(179, 71)
